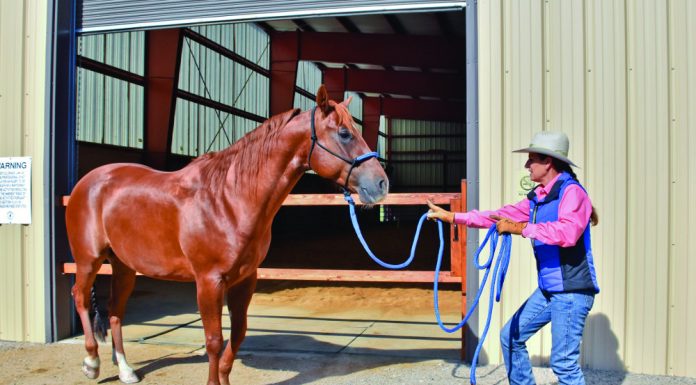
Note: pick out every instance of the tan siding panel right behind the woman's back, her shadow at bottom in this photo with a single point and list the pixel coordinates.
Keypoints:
(605, 176)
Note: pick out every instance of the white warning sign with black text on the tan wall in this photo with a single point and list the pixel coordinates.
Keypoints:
(15, 190)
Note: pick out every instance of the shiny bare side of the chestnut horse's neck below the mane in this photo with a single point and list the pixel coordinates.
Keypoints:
(278, 172)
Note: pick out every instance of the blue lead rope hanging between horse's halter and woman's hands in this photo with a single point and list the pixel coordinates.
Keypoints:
(499, 271)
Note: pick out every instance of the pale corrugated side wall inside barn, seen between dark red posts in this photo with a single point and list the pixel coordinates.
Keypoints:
(110, 111)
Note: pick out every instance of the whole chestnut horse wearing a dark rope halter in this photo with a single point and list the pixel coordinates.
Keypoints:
(209, 222)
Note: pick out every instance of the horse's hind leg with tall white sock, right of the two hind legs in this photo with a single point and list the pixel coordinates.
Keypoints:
(122, 284)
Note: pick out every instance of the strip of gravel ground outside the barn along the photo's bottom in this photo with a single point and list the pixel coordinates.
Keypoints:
(58, 363)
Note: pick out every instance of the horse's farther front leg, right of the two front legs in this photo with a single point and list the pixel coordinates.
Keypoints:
(238, 299)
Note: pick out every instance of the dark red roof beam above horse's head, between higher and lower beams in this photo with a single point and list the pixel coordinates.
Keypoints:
(444, 86)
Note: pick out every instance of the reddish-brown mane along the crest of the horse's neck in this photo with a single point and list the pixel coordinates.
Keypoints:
(244, 157)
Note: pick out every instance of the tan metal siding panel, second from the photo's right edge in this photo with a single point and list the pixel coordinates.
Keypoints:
(648, 185)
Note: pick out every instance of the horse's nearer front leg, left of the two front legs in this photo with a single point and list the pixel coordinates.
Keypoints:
(210, 291)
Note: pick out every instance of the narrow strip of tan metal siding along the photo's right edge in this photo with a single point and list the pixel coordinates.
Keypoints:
(682, 132)
